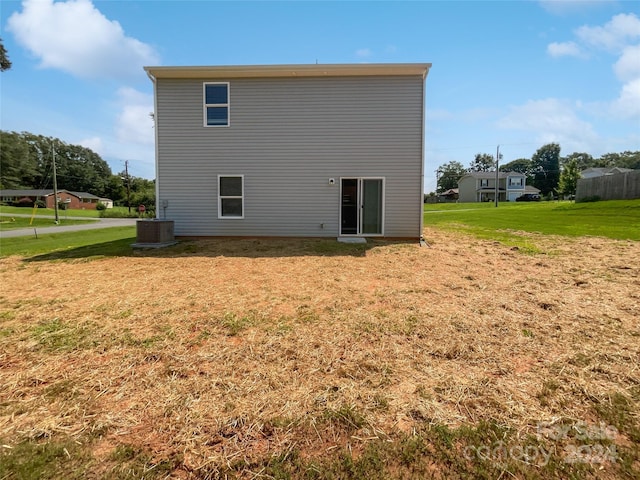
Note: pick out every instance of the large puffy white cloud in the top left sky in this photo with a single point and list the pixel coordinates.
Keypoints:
(76, 37)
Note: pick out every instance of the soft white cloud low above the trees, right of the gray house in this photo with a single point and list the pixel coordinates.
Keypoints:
(552, 120)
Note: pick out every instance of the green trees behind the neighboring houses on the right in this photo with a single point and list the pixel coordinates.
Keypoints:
(546, 169)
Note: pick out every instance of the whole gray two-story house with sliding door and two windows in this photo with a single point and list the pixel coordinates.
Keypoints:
(291, 150)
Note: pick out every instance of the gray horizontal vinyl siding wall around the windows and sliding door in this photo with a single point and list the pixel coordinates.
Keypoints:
(288, 137)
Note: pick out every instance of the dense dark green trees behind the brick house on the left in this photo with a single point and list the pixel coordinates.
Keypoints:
(26, 162)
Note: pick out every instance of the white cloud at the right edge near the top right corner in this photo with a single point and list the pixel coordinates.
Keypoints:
(614, 35)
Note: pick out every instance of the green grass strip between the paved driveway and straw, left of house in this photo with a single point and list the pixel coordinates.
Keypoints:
(87, 243)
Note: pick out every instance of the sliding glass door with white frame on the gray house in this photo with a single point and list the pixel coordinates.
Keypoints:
(362, 206)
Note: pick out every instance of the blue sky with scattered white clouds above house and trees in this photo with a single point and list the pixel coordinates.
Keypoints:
(517, 74)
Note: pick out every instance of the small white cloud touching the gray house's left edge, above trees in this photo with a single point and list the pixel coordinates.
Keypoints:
(134, 123)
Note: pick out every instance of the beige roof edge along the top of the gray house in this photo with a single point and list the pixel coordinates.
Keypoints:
(313, 70)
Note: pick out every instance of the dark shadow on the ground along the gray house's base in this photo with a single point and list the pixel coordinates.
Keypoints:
(223, 247)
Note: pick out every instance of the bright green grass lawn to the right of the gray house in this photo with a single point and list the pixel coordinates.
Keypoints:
(616, 219)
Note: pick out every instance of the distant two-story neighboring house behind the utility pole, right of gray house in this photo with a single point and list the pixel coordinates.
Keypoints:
(481, 186)
